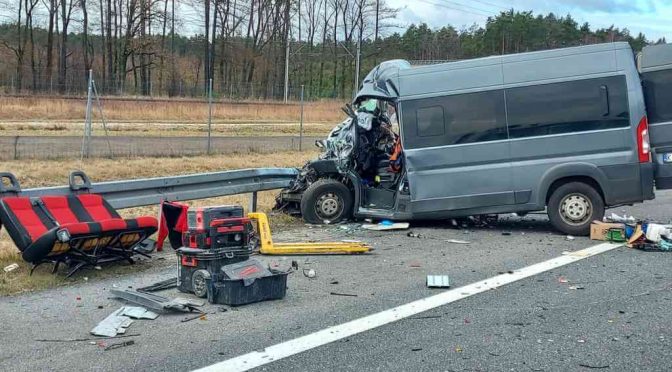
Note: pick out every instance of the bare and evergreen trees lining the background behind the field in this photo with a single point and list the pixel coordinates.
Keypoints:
(177, 47)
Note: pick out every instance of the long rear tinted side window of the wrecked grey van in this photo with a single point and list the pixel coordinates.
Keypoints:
(567, 107)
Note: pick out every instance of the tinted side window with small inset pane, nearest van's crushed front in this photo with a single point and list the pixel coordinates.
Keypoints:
(454, 119)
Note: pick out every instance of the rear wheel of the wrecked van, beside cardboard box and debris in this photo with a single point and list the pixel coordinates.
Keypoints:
(573, 207)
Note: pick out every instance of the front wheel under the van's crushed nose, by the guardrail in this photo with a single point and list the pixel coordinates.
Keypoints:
(326, 201)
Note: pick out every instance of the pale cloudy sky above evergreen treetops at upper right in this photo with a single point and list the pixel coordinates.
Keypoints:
(652, 17)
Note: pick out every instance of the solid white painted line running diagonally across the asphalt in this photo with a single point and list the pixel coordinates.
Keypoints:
(341, 331)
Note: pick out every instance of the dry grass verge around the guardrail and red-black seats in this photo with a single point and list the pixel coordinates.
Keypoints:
(49, 173)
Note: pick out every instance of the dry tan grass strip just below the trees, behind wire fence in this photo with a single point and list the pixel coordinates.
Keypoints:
(35, 116)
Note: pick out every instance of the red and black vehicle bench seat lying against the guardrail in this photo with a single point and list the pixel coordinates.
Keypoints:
(79, 230)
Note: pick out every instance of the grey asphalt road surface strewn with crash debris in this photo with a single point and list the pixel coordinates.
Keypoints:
(607, 312)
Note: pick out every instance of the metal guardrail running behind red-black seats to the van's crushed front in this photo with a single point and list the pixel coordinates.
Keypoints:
(150, 191)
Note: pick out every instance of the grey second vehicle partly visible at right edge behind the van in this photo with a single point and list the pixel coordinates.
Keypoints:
(656, 73)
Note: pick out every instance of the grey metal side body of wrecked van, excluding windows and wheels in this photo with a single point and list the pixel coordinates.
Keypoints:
(515, 174)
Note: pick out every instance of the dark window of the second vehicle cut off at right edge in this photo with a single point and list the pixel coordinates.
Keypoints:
(658, 95)
